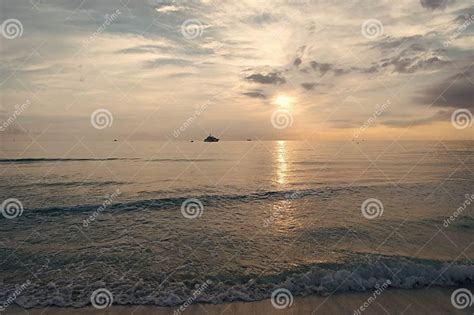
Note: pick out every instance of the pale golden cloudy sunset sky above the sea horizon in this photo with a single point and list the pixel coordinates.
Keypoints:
(294, 69)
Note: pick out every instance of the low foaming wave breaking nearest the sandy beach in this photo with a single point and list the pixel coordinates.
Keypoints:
(366, 272)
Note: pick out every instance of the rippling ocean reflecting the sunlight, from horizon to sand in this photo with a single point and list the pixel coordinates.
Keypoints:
(154, 222)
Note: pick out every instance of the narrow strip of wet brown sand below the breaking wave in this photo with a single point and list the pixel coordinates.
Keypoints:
(435, 300)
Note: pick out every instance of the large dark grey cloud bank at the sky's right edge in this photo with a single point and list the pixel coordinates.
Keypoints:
(456, 91)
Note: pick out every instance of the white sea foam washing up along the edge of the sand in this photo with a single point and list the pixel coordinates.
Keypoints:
(401, 274)
